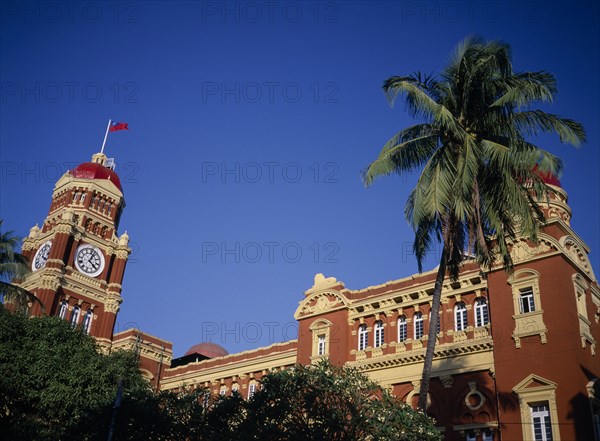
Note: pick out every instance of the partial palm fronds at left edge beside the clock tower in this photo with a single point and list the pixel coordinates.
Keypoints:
(14, 265)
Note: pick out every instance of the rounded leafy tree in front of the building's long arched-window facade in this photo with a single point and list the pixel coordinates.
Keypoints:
(324, 402)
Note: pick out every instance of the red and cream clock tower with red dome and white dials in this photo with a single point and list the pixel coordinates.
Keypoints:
(77, 258)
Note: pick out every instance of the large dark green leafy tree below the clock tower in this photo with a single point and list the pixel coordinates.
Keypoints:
(55, 385)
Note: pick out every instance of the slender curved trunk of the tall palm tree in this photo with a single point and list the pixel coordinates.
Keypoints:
(434, 319)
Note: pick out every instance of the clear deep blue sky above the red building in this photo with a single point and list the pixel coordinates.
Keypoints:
(249, 125)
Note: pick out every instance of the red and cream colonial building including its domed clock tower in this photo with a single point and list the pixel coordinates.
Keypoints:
(516, 356)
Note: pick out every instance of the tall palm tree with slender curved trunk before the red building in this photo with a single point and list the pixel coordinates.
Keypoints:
(481, 178)
